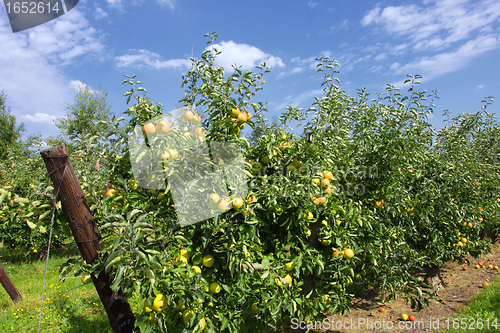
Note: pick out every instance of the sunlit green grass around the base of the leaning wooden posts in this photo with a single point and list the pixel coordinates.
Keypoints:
(79, 310)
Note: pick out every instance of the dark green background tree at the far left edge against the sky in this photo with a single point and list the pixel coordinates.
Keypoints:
(9, 132)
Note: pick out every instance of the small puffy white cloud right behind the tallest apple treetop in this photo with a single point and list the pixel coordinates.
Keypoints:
(243, 55)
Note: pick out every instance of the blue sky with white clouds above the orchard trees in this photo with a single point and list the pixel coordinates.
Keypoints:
(453, 44)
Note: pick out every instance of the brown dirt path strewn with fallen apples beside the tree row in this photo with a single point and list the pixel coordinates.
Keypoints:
(460, 286)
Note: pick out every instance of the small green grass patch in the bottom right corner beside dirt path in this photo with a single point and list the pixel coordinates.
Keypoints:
(484, 307)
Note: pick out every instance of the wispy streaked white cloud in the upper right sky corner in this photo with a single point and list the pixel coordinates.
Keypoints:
(450, 32)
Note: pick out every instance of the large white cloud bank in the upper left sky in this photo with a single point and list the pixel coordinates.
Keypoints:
(32, 65)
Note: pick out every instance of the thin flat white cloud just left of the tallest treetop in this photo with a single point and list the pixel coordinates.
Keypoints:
(147, 59)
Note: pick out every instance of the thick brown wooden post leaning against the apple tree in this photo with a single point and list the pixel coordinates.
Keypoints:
(86, 234)
